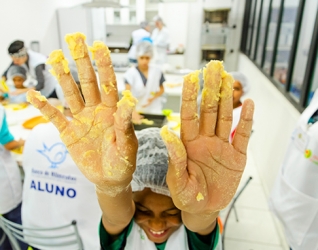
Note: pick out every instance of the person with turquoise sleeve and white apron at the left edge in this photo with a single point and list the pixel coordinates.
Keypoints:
(10, 179)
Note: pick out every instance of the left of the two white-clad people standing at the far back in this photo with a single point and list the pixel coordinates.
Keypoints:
(136, 37)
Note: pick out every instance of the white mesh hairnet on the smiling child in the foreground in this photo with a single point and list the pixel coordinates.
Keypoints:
(152, 162)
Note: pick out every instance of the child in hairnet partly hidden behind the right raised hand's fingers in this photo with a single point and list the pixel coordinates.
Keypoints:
(240, 88)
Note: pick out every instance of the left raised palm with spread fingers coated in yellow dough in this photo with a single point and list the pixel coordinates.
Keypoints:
(100, 137)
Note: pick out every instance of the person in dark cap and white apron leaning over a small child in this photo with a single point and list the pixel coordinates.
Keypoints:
(34, 63)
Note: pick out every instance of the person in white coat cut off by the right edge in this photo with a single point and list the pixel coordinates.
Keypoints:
(294, 197)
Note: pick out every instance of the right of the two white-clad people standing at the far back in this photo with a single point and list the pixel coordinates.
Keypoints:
(161, 40)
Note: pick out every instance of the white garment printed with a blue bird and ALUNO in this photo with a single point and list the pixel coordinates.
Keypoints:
(55, 192)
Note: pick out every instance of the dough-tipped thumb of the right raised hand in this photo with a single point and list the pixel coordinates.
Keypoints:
(177, 176)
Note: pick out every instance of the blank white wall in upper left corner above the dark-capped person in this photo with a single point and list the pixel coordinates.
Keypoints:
(31, 20)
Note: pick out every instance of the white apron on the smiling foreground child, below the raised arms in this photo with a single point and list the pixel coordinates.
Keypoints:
(138, 240)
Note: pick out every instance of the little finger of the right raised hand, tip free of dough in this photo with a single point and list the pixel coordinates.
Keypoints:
(244, 127)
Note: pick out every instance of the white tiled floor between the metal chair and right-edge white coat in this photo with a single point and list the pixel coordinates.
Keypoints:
(256, 228)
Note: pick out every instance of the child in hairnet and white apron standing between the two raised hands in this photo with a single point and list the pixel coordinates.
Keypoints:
(145, 81)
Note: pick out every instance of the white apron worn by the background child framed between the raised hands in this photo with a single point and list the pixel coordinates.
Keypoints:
(143, 93)
